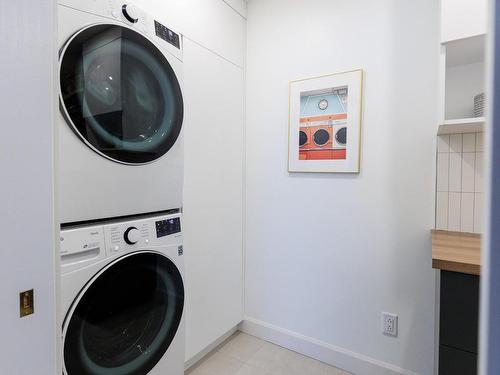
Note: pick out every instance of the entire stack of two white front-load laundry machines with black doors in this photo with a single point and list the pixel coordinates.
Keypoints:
(120, 190)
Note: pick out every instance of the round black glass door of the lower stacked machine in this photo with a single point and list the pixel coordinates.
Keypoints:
(125, 319)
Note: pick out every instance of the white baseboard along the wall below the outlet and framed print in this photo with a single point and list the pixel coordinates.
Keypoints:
(347, 360)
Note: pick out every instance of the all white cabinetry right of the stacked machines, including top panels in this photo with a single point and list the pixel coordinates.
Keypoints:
(214, 54)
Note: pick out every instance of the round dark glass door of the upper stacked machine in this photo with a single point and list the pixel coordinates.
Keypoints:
(120, 94)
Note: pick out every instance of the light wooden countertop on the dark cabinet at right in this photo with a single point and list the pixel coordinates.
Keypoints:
(457, 252)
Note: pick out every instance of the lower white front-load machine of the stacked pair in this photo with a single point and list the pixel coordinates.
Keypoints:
(123, 297)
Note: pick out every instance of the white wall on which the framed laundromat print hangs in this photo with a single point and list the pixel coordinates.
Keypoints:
(326, 254)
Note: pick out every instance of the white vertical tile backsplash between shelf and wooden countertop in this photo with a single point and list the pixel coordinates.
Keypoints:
(459, 182)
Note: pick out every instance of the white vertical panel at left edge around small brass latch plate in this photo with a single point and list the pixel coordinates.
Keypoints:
(30, 344)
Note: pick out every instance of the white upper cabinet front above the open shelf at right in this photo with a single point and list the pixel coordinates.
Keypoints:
(463, 18)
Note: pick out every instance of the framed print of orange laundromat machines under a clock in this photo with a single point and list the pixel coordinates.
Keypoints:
(325, 123)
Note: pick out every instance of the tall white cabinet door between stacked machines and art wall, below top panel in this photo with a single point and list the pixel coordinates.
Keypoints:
(213, 196)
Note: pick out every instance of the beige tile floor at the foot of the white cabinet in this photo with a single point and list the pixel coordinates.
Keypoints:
(243, 354)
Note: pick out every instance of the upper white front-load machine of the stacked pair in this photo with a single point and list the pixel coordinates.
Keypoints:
(121, 111)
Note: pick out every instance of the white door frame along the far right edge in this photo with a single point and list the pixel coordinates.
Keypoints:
(490, 274)
